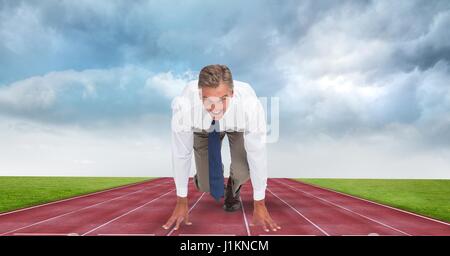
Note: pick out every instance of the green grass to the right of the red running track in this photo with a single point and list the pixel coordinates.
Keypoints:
(426, 197)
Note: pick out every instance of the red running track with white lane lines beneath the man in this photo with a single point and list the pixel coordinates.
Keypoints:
(141, 209)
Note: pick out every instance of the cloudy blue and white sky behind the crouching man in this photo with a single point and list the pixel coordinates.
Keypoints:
(363, 86)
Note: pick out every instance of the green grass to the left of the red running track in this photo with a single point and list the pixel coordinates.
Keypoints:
(20, 192)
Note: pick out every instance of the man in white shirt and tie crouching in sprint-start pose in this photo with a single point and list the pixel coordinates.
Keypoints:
(210, 108)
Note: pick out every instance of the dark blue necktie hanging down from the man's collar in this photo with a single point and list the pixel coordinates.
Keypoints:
(216, 179)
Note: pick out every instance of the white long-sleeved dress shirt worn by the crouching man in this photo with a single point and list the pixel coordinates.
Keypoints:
(244, 113)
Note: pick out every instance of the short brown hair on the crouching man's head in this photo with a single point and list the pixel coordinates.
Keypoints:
(213, 75)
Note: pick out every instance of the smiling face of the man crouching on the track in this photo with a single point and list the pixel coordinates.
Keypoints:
(215, 100)
